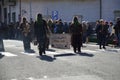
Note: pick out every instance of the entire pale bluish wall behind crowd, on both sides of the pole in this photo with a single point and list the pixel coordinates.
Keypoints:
(89, 9)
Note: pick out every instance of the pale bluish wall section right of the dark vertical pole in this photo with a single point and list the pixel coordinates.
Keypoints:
(108, 8)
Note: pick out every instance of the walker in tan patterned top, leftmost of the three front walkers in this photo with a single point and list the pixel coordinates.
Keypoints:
(25, 29)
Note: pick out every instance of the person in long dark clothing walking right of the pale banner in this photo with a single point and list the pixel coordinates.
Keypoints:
(76, 35)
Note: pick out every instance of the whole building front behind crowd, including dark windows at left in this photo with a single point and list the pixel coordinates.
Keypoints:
(87, 10)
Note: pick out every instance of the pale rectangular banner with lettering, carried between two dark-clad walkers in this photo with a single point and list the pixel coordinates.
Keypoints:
(61, 41)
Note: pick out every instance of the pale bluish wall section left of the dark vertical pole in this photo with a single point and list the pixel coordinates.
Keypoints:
(89, 9)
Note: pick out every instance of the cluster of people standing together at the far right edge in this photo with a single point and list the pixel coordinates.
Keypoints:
(107, 31)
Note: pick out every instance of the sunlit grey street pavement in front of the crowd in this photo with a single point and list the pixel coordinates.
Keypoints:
(59, 64)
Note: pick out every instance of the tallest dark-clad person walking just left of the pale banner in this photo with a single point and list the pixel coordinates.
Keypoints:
(40, 28)
